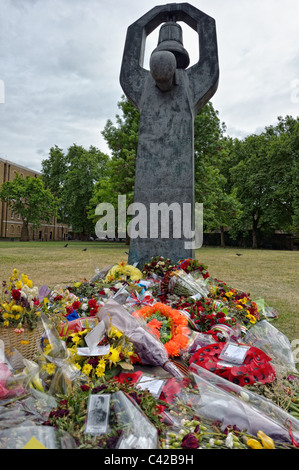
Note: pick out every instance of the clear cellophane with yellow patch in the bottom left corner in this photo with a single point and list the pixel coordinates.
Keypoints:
(35, 437)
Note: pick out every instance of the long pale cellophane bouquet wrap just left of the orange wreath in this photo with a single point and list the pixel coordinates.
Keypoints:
(150, 350)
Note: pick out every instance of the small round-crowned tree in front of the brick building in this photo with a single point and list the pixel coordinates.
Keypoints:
(29, 198)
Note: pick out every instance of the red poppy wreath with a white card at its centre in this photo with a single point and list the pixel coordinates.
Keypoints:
(255, 368)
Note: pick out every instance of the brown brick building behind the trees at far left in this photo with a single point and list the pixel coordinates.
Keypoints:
(11, 223)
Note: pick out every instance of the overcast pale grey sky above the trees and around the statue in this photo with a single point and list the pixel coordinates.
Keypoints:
(60, 62)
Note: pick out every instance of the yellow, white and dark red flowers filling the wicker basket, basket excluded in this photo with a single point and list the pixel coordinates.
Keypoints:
(20, 304)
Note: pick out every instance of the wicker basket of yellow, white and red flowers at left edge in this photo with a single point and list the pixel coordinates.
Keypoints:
(20, 309)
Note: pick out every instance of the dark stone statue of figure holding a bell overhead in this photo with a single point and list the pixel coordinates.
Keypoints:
(168, 97)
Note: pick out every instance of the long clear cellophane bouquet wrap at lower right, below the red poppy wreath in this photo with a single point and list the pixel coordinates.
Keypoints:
(222, 400)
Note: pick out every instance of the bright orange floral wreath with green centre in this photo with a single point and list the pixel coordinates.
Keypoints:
(169, 325)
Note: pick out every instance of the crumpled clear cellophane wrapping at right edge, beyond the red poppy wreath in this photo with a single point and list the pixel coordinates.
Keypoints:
(273, 342)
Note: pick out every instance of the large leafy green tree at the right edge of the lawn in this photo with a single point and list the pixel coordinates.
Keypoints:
(265, 178)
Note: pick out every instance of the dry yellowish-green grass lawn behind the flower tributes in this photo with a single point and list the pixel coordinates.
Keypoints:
(268, 274)
